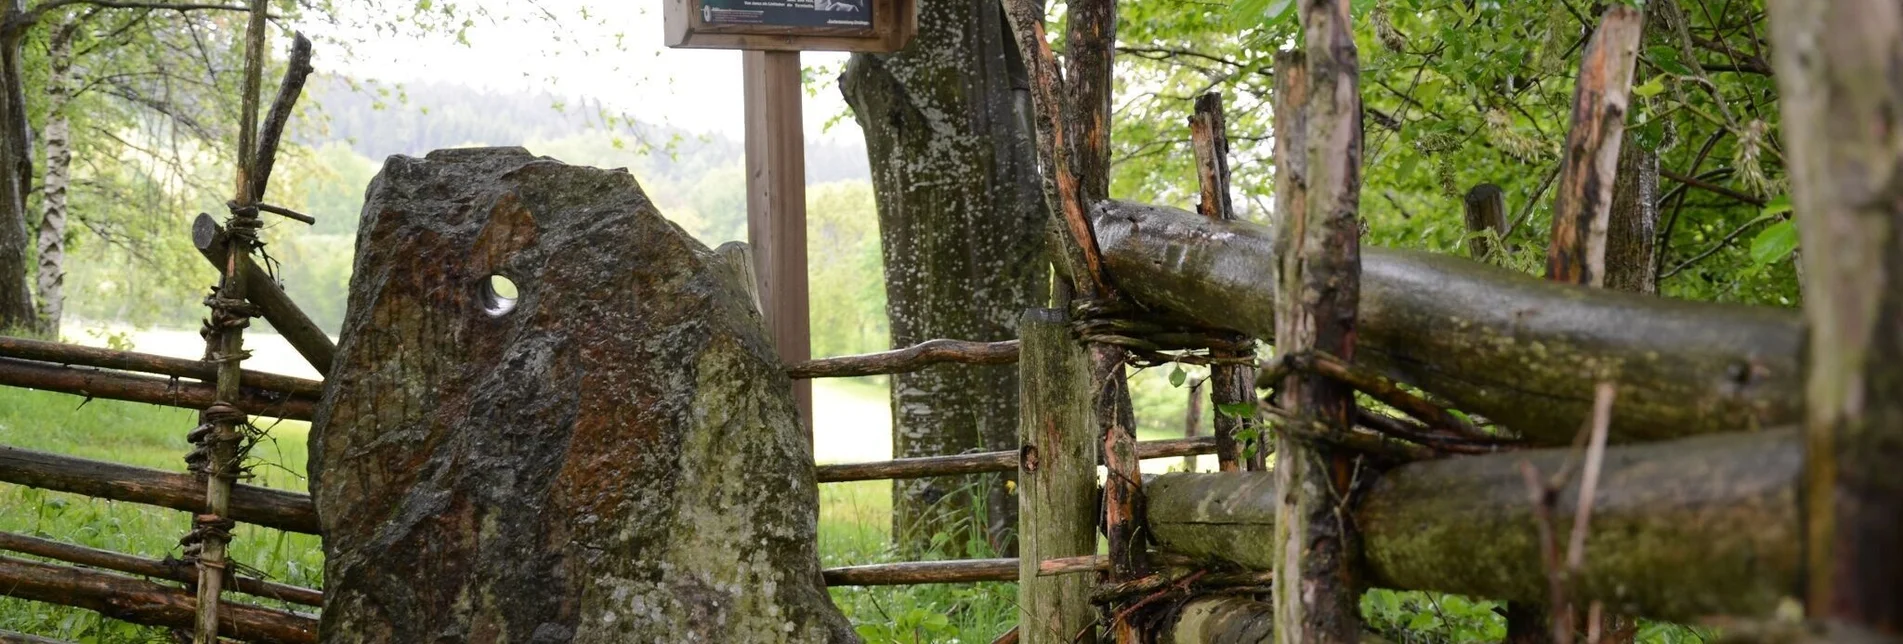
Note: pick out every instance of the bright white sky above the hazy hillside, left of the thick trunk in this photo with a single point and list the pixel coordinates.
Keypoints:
(697, 91)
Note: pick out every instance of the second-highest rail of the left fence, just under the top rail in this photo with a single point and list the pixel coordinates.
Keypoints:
(167, 392)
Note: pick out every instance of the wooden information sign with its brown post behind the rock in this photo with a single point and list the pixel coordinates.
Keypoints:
(774, 33)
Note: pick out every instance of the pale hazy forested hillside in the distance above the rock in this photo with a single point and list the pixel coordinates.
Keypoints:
(414, 119)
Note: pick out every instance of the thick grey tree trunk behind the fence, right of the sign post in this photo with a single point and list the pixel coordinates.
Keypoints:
(962, 218)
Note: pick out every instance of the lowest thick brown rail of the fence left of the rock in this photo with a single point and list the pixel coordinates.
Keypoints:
(146, 603)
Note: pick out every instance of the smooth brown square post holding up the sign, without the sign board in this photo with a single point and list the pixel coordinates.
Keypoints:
(777, 207)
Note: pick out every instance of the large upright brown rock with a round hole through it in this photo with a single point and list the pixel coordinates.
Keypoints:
(616, 458)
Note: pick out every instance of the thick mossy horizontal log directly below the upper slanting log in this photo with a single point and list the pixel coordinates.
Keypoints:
(1681, 531)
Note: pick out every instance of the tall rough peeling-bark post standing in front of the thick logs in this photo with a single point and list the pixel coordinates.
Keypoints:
(1318, 294)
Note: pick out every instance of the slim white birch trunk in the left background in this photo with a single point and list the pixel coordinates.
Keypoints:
(52, 277)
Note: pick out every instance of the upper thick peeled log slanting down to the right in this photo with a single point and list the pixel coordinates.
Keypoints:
(1493, 342)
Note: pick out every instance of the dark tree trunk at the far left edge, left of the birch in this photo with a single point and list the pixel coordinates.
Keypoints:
(16, 176)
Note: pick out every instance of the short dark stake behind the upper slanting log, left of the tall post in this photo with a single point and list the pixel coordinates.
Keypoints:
(1230, 386)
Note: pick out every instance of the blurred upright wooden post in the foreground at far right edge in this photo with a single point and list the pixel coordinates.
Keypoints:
(1841, 91)
